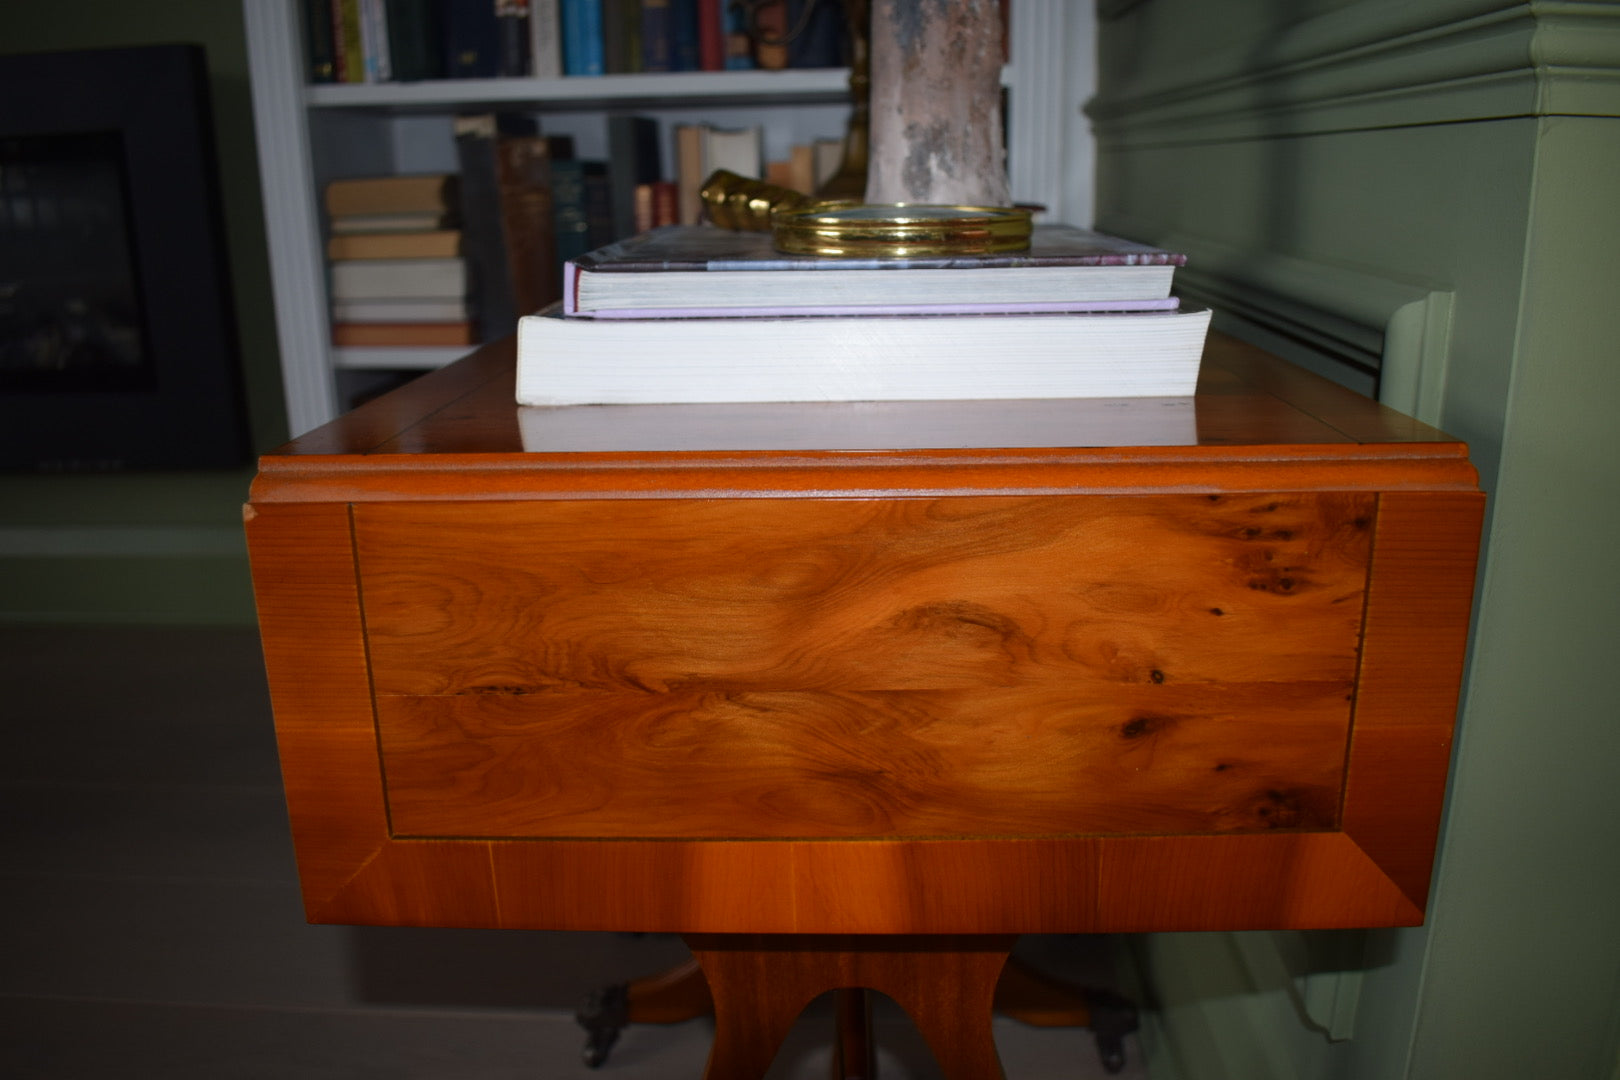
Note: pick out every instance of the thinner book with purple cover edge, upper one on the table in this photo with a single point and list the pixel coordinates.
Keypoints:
(701, 271)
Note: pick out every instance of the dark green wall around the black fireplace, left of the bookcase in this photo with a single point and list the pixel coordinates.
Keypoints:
(153, 546)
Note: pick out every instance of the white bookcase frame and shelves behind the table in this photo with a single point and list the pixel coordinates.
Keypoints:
(310, 135)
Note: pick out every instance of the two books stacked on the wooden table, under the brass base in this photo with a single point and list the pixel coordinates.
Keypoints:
(702, 315)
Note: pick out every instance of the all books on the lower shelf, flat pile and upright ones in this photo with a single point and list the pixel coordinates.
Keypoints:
(456, 260)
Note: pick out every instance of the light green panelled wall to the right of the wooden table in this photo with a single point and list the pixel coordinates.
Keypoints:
(1472, 148)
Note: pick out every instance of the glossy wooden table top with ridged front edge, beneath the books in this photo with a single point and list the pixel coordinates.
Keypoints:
(1251, 409)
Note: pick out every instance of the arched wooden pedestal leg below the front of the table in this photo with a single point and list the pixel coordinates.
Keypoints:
(764, 982)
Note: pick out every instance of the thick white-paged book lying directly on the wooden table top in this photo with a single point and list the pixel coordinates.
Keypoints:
(858, 359)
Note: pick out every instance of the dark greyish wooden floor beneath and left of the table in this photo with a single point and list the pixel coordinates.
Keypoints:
(151, 927)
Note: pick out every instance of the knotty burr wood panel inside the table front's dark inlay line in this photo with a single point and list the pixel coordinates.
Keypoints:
(864, 668)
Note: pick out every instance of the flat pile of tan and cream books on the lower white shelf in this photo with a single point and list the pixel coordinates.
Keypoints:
(396, 258)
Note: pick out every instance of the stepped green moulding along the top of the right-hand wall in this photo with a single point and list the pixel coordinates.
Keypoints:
(1368, 66)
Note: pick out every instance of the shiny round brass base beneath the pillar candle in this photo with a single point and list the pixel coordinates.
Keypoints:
(902, 231)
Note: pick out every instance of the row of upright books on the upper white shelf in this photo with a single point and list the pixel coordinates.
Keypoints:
(382, 41)
